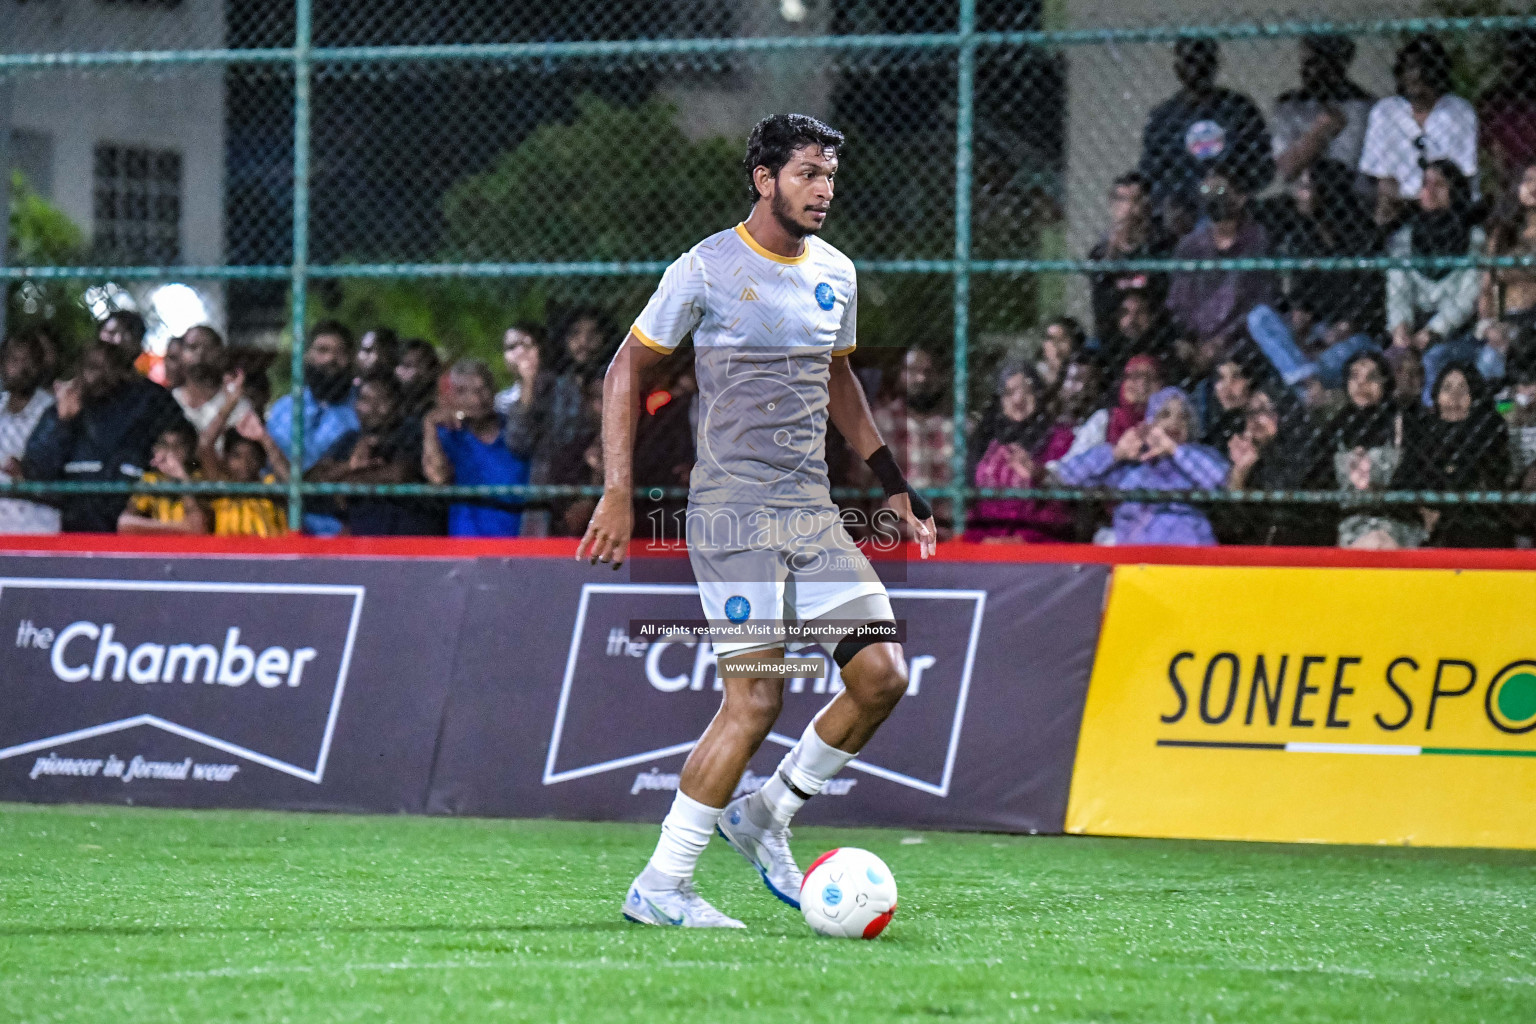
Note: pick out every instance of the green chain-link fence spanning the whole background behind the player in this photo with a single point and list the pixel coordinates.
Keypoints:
(1180, 273)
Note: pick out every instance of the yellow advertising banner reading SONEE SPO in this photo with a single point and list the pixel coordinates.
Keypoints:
(1326, 705)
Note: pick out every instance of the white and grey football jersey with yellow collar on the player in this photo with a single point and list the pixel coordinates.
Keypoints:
(764, 329)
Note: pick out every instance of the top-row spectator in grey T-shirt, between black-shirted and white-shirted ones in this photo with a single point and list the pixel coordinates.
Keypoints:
(1326, 117)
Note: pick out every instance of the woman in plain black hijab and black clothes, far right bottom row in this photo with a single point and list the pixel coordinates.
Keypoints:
(1465, 448)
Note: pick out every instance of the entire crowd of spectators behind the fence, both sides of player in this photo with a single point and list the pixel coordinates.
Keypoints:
(1354, 382)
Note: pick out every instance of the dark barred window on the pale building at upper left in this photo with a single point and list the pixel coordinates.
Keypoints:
(137, 205)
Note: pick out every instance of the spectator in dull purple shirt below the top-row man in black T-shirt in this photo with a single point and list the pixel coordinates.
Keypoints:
(1211, 308)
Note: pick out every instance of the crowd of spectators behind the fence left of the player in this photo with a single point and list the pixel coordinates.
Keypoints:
(371, 411)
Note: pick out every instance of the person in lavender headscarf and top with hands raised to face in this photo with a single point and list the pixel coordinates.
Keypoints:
(1156, 457)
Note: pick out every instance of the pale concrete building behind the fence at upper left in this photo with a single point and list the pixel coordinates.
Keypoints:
(134, 156)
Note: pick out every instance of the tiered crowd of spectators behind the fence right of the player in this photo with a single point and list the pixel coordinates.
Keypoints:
(1331, 380)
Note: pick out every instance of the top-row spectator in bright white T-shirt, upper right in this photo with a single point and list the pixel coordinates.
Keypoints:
(1422, 125)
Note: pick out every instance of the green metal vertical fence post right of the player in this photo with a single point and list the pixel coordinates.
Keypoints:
(965, 116)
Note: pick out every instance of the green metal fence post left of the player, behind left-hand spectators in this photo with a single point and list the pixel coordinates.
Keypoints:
(300, 266)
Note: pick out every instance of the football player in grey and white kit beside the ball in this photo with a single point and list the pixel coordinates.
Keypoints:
(773, 314)
